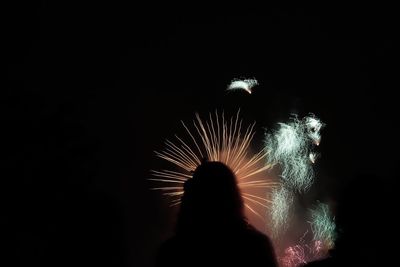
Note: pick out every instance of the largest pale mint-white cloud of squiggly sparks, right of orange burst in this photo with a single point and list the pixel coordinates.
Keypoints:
(291, 147)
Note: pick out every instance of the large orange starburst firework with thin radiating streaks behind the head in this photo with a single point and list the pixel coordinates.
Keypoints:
(221, 140)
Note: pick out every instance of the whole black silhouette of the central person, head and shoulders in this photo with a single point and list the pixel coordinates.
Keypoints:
(211, 227)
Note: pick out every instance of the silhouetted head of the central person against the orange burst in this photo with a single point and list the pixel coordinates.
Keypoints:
(211, 198)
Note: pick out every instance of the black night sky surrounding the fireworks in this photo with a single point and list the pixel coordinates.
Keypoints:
(92, 90)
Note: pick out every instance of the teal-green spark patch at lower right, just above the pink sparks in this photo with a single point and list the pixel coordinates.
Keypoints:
(323, 226)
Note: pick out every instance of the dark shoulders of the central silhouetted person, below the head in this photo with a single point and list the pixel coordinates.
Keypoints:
(248, 247)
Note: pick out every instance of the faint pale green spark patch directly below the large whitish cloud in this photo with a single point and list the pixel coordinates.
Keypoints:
(281, 202)
